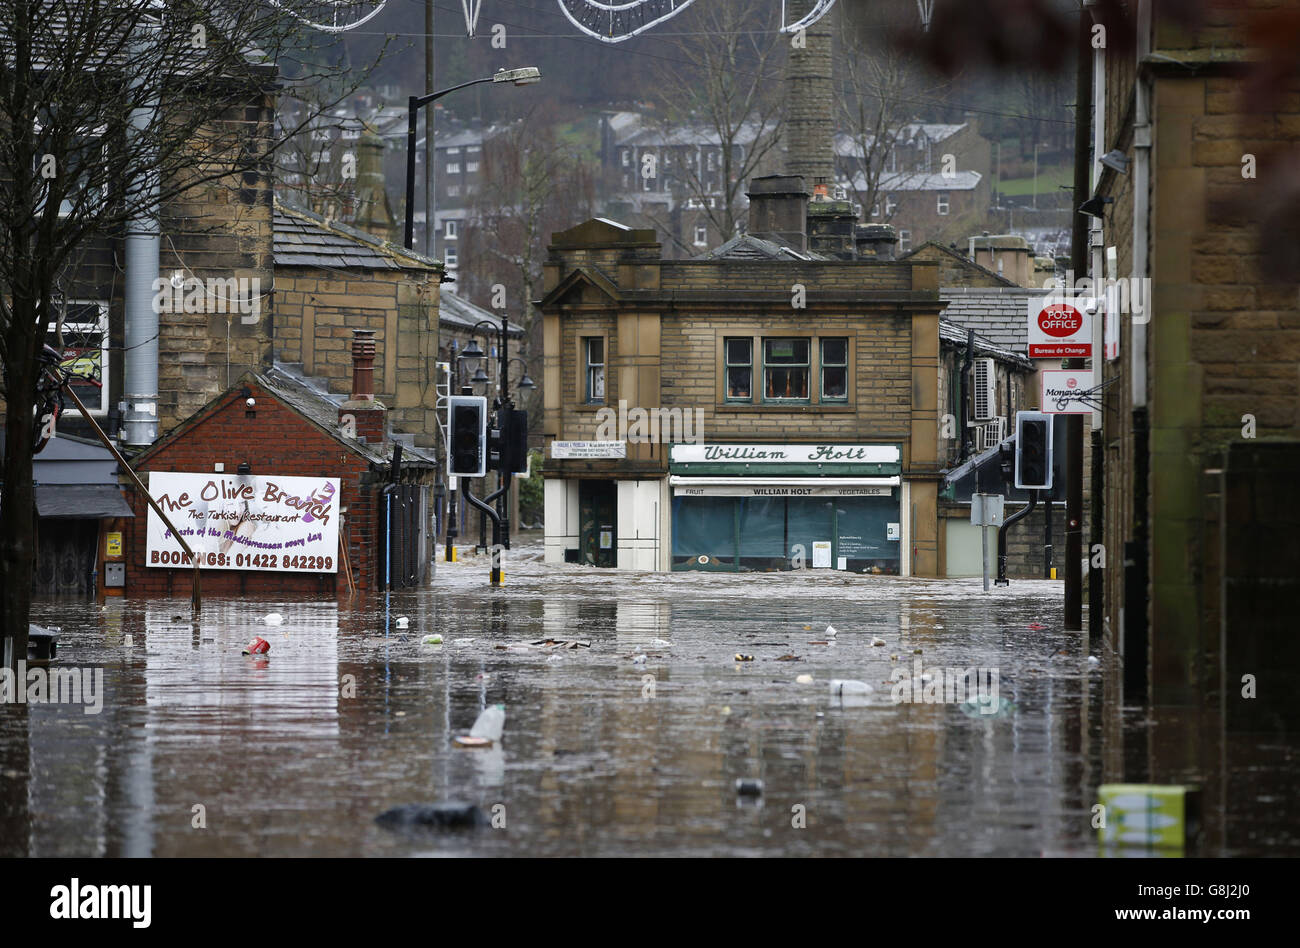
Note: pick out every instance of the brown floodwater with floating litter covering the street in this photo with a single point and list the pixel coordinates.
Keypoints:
(349, 716)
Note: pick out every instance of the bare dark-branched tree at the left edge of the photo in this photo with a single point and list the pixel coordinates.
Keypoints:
(174, 101)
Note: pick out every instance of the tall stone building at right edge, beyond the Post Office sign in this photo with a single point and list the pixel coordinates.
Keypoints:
(1202, 428)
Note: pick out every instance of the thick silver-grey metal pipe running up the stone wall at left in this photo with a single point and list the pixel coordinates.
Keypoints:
(144, 243)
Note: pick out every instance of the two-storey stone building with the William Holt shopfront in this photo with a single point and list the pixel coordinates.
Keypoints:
(798, 391)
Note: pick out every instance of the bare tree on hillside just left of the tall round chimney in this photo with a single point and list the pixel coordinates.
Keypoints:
(731, 105)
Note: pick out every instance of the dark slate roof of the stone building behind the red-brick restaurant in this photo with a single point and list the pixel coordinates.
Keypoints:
(302, 239)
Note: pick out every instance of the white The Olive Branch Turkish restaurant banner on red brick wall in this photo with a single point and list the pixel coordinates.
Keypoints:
(246, 522)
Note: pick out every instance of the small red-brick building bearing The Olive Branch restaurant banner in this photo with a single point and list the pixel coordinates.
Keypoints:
(262, 449)
